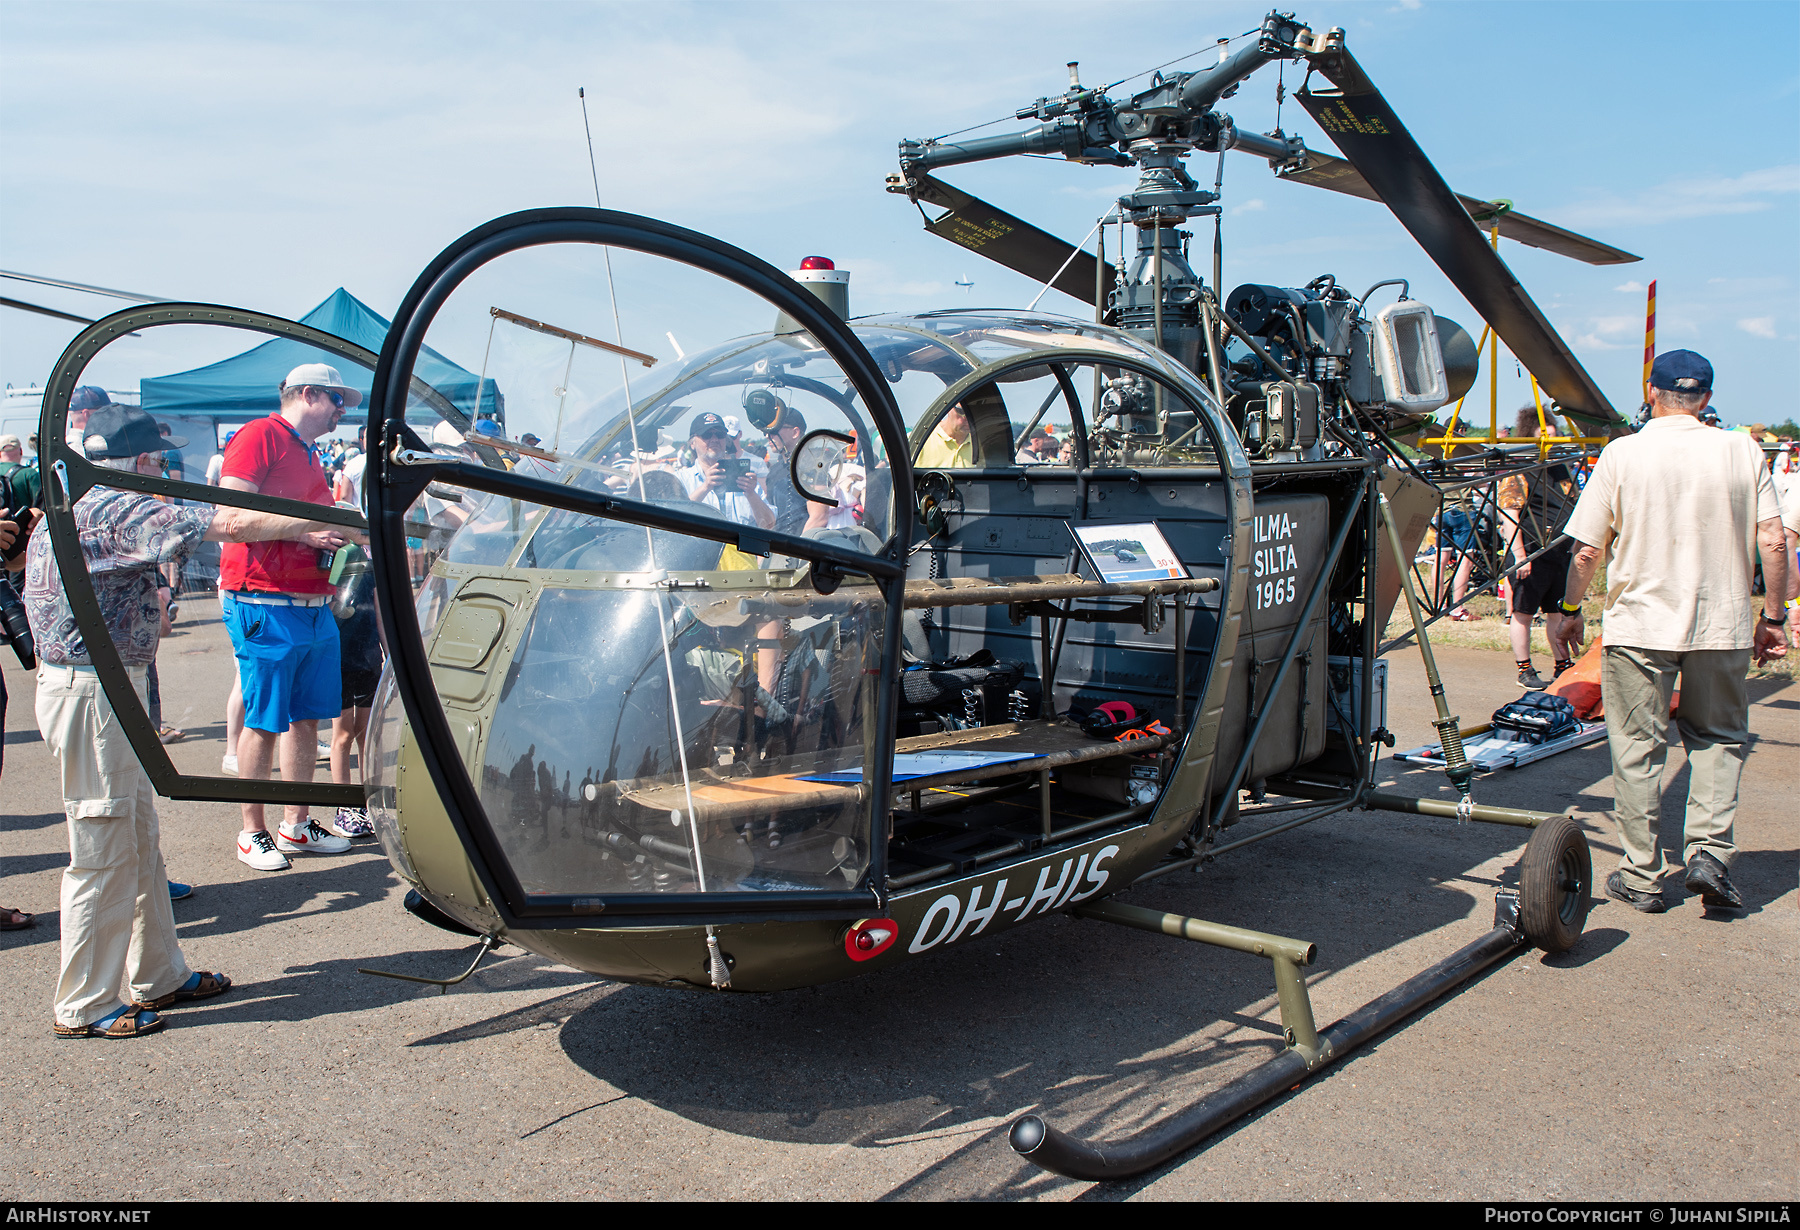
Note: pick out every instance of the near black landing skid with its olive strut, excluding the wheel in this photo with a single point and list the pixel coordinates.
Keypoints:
(1308, 1049)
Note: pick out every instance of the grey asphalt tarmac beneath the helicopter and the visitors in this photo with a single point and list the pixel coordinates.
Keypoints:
(1653, 1062)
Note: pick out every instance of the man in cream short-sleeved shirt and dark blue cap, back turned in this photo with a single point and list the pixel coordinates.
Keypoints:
(1684, 511)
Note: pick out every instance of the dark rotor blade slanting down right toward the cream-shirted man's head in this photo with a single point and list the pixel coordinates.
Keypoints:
(1376, 143)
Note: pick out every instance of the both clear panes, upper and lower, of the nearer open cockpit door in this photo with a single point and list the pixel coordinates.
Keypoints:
(654, 700)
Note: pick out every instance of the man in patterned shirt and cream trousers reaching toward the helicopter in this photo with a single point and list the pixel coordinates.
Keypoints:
(116, 901)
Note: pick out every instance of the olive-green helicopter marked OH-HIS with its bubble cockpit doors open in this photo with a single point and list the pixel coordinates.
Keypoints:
(649, 725)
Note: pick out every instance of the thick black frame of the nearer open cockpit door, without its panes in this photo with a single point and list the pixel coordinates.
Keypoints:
(402, 469)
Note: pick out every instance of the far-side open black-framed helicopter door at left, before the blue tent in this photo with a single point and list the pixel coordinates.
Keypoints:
(202, 370)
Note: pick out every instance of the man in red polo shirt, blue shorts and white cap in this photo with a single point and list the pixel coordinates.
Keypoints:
(274, 599)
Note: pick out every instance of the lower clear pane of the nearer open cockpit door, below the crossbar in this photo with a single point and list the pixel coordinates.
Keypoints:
(750, 781)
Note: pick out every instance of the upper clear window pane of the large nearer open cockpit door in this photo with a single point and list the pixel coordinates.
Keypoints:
(690, 393)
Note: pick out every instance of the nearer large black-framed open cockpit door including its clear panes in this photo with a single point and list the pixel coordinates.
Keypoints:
(634, 674)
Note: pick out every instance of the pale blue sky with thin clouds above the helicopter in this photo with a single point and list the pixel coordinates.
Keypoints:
(265, 154)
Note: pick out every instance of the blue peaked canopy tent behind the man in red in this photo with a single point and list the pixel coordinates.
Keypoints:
(247, 386)
